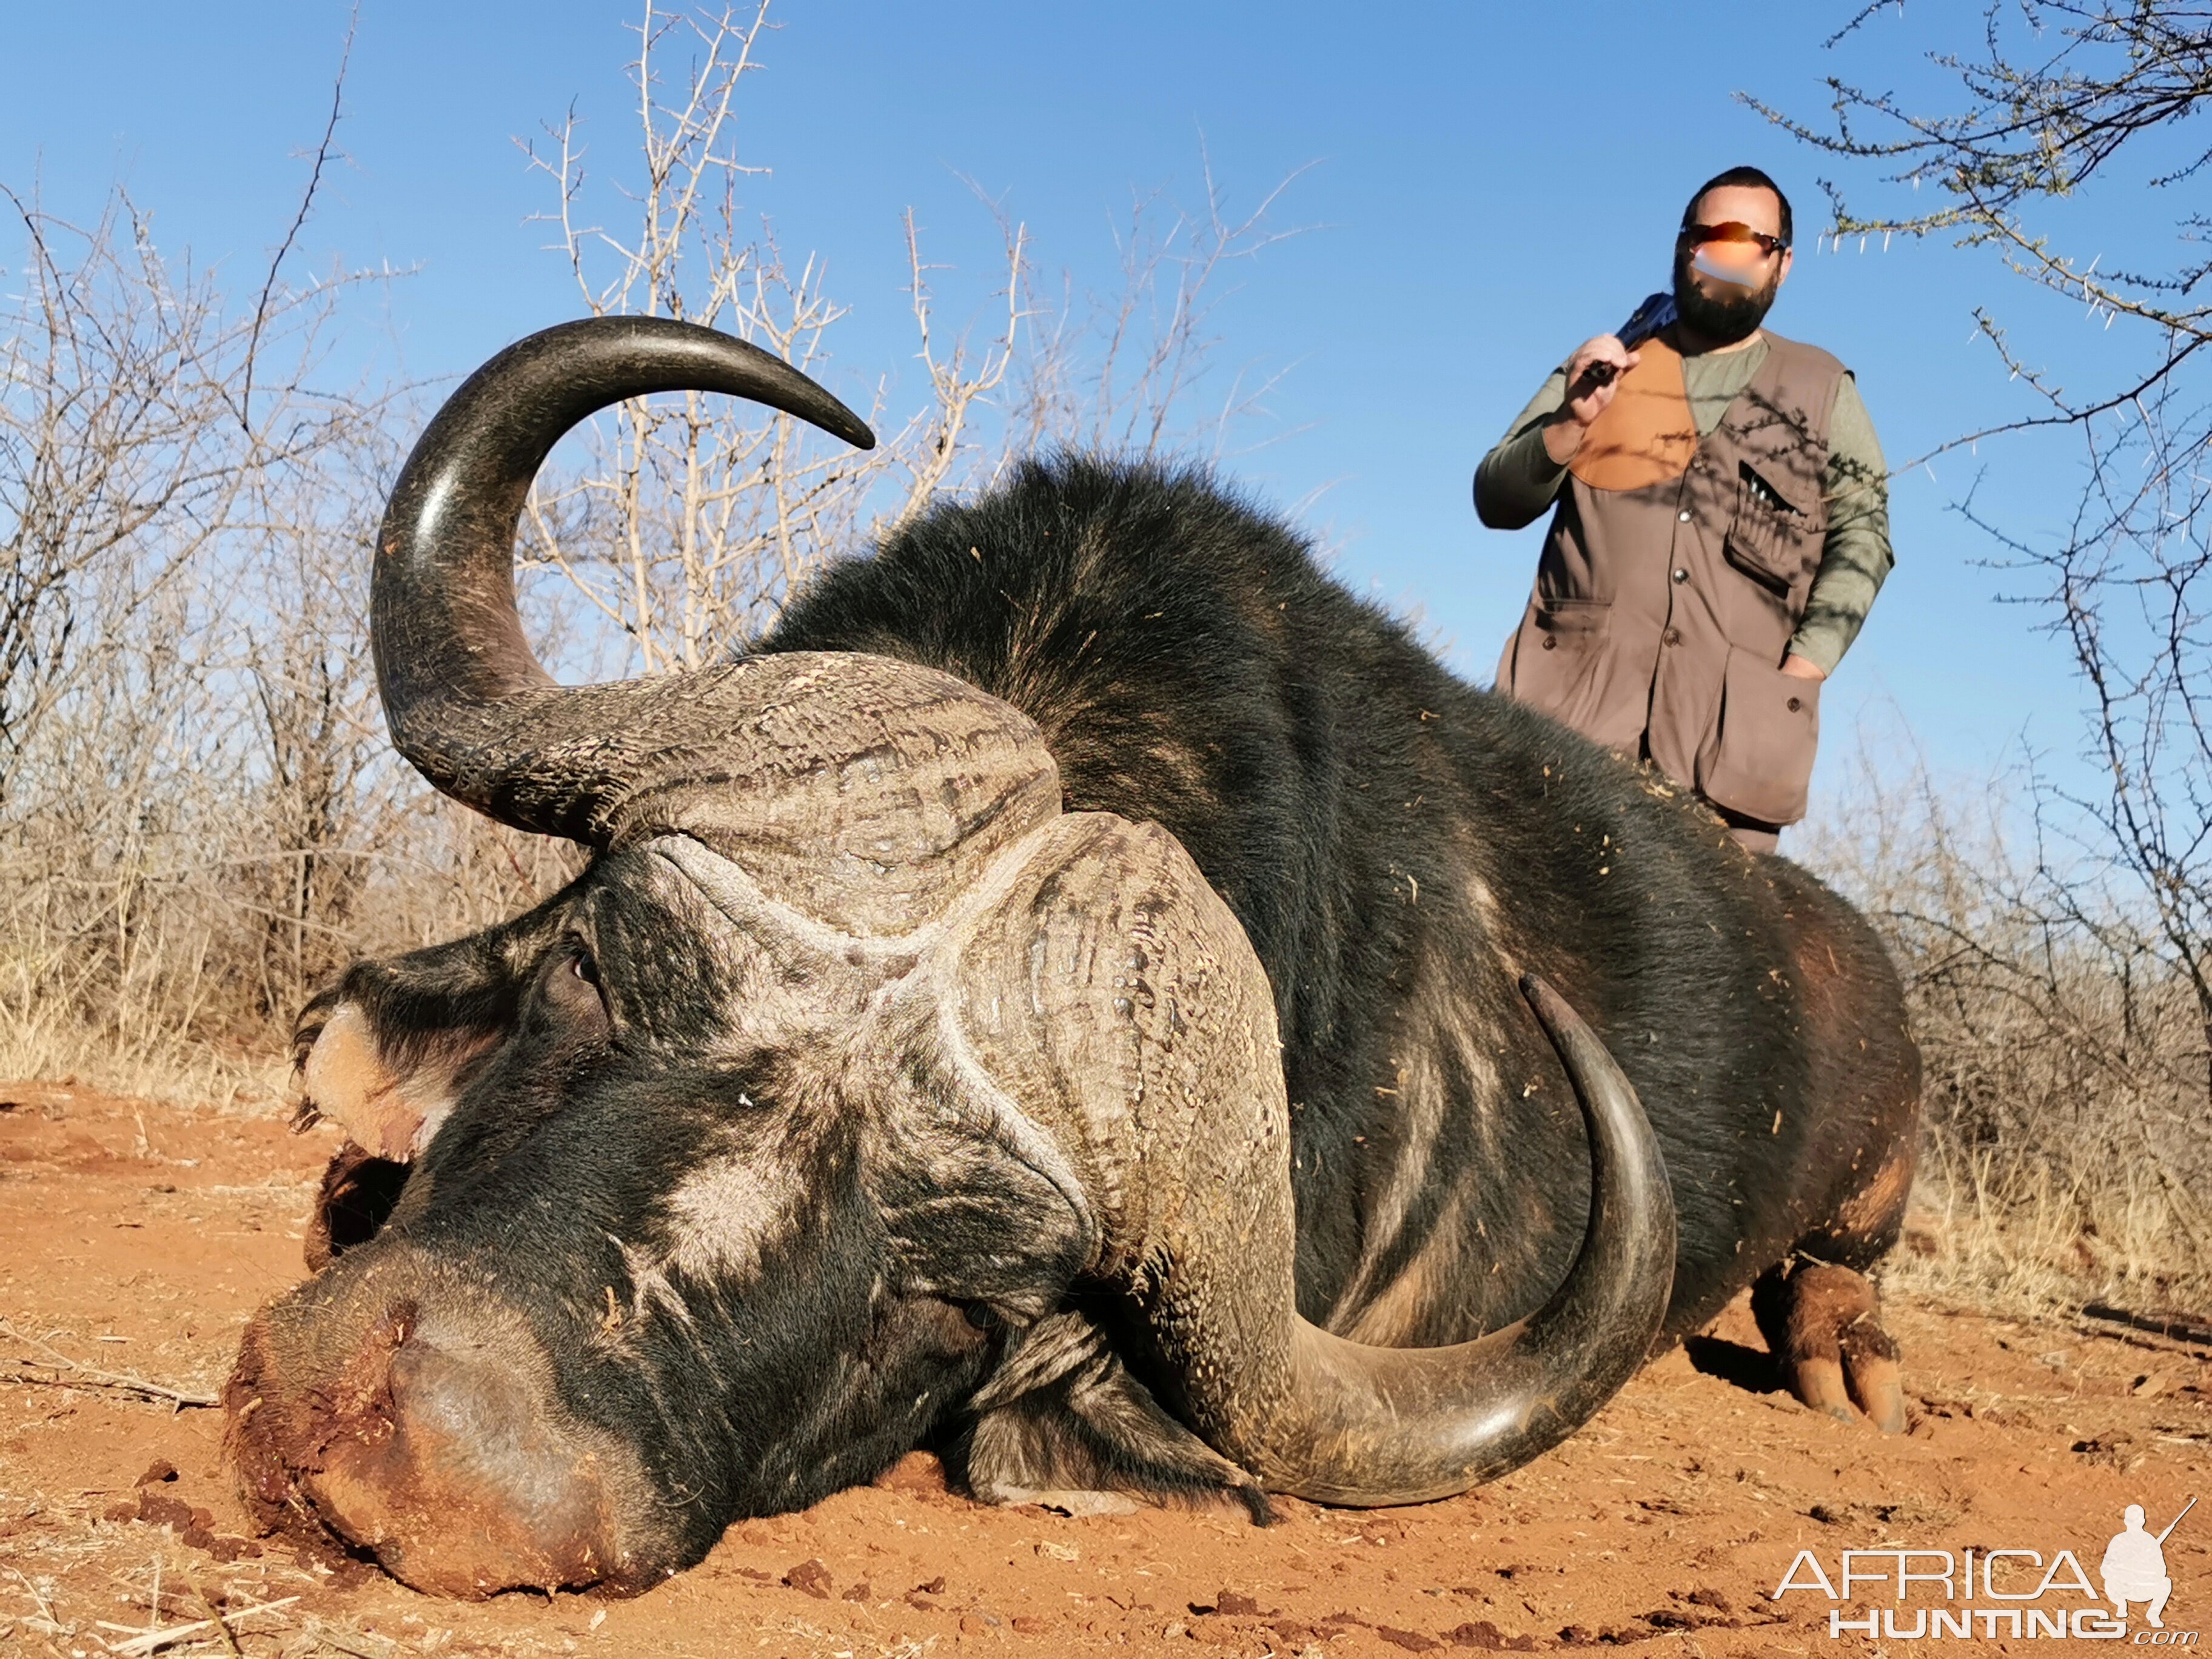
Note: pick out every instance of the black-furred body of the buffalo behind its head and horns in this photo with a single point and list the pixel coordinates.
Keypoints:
(1189, 662)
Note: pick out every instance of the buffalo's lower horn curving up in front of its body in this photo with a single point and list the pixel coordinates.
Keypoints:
(1112, 992)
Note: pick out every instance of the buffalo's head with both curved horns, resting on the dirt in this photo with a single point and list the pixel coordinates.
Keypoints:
(731, 1171)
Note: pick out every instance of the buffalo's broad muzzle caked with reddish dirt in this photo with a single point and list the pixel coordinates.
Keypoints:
(435, 1443)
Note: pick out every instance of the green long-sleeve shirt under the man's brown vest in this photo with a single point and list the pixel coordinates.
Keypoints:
(1519, 481)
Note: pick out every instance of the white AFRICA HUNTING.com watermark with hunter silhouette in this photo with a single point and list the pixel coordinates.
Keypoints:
(1985, 1594)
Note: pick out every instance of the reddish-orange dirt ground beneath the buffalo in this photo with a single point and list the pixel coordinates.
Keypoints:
(138, 1240)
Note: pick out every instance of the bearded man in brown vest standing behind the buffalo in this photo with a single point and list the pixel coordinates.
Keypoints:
(1720, 530)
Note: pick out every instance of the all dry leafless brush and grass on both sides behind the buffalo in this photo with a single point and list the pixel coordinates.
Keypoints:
(202, 822)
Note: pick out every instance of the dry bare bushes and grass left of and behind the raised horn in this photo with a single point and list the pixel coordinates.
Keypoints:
(200, 813)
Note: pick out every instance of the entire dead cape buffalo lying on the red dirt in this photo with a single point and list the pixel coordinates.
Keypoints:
(1087, 994)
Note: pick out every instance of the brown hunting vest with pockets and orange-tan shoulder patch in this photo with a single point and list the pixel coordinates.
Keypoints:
(1662, 609)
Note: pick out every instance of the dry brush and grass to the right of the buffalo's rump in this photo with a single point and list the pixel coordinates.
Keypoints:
(2069, 1129)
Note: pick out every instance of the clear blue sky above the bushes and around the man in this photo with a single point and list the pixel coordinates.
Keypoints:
(1488, 187)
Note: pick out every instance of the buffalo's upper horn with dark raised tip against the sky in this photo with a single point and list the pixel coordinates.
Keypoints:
(755, 755)
